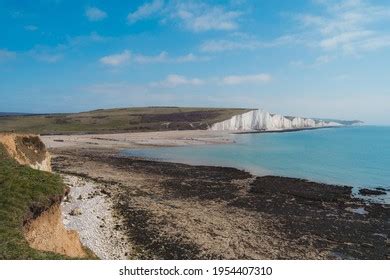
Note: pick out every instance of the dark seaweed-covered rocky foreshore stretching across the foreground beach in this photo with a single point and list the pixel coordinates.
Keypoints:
(178, 211)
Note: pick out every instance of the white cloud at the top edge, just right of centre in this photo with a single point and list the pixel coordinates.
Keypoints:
(200, 17)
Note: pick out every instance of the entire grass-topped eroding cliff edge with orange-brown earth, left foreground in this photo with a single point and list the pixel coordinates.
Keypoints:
(30, 197)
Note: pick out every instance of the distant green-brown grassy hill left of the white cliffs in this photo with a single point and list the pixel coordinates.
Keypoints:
(119, 120)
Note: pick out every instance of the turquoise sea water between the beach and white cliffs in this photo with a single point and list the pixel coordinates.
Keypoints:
(354, 156)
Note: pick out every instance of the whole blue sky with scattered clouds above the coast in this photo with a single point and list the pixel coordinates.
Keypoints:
(313, 58)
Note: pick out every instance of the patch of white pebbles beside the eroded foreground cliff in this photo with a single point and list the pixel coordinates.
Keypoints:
(87, 208)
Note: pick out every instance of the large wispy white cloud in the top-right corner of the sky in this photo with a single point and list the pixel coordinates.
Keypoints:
(349, 26)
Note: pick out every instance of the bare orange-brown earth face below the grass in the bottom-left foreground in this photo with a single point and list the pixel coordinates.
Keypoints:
(47, 233)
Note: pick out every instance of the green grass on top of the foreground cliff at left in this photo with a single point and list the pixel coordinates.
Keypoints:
(21, 188)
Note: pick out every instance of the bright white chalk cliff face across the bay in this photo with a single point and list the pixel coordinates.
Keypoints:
(262, 120)
